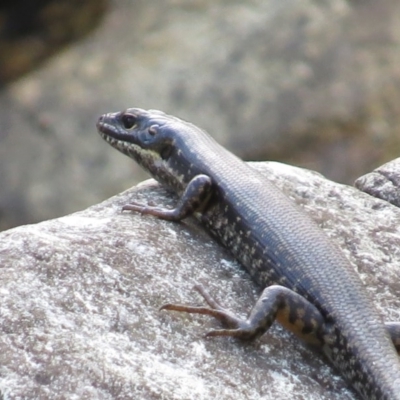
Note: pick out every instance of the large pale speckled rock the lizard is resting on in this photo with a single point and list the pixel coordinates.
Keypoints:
(80, 298)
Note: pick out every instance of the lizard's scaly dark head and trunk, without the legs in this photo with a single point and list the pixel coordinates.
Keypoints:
(272, 238)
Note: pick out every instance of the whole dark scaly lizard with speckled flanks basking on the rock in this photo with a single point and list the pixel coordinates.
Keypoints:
(310, 286)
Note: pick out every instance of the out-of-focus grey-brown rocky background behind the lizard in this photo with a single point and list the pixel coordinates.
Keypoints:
(311, 83)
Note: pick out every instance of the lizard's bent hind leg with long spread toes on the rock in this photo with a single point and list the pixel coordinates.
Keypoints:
(276, 303)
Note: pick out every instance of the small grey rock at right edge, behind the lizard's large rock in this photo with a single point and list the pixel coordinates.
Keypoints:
(383, 182)
